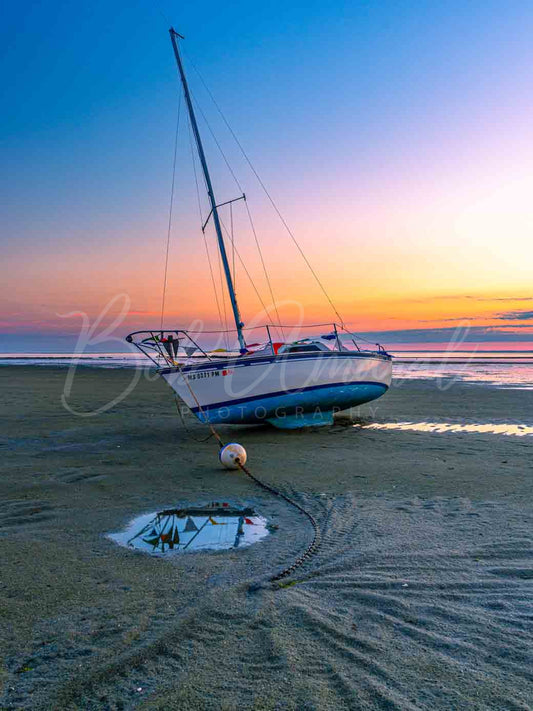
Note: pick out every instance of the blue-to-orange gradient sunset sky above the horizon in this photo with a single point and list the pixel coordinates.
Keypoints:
(396, 139)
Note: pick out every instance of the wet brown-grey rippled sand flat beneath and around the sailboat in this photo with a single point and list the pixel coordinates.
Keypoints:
(419, 598)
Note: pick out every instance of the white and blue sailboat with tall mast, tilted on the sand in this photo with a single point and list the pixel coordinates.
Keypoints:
(289, 384)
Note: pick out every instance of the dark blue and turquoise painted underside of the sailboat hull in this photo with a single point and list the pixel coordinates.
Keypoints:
(315, 402)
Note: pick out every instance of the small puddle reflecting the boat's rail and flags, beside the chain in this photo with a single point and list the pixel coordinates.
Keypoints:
(217, 526)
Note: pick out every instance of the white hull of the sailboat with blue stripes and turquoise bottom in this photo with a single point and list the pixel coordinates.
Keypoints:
(288, 391)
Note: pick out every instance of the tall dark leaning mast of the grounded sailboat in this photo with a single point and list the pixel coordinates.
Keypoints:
(218, 229)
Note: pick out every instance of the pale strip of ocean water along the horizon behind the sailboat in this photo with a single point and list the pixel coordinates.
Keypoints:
(505, 368)
